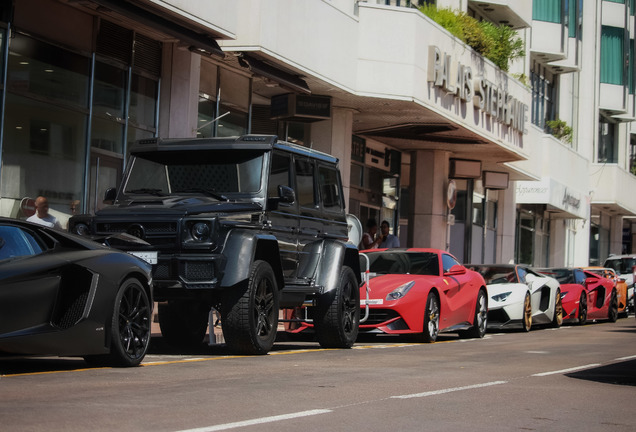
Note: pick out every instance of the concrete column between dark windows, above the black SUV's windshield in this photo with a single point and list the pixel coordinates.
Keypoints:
(179, 93)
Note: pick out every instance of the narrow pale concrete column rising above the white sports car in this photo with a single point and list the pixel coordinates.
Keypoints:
(506, 224)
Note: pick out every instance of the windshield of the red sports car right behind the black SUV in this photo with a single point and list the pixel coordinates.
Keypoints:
(420, 263)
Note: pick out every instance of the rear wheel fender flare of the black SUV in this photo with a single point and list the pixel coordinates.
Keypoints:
(336, 254)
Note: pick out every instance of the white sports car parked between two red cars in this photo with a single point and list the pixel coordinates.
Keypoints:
(520, 296)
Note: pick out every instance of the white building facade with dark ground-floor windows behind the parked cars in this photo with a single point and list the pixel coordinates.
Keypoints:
(451, 150)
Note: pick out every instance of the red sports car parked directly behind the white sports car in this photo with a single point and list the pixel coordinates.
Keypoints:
(585, 295)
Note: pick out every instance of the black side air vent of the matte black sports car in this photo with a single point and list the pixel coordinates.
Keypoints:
(72, 297)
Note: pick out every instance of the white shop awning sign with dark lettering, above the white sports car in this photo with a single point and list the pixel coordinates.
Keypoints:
(551, 192)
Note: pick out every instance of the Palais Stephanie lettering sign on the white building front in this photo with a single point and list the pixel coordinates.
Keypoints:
(488, 97)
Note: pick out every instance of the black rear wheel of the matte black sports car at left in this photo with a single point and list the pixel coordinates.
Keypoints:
(130, 327)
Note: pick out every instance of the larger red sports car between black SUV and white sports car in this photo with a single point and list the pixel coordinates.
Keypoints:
(421, 291)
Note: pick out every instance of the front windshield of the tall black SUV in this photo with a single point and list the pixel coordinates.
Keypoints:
(214, 173)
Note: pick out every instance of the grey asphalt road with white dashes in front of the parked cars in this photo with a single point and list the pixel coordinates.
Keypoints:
(572, 378)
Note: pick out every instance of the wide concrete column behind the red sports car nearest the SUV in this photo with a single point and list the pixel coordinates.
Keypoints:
(429, 181)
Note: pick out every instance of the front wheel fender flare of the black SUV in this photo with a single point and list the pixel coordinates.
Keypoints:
(242, 248)
